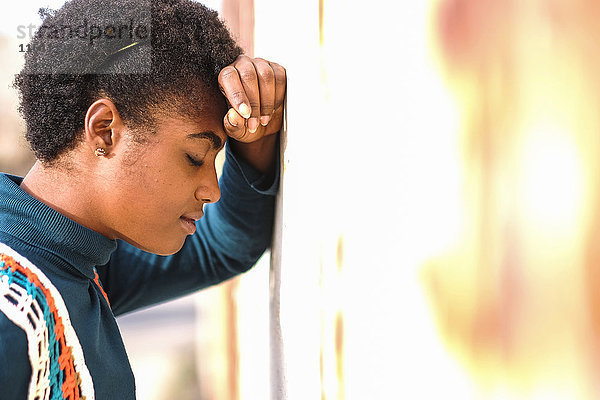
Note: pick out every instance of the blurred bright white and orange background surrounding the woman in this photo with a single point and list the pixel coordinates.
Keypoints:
(438, 223)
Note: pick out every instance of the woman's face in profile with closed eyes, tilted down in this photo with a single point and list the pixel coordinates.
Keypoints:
(156, 191)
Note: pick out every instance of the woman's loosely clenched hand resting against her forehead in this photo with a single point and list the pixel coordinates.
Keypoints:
(255, 89)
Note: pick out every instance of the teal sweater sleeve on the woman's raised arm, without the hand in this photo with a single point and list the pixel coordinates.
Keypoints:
(230, 238)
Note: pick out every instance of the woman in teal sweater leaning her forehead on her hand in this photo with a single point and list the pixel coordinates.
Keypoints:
(125, 112)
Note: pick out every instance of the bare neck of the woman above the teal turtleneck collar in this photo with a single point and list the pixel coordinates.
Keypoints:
(66, 193)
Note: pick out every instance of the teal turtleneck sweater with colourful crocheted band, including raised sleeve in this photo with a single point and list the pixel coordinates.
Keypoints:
(62, 284)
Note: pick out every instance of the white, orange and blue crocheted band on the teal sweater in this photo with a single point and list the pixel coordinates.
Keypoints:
(28, 298)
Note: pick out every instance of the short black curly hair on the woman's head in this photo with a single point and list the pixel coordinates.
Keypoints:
(143, 55)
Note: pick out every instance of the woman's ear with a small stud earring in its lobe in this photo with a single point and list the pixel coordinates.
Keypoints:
(103, 126)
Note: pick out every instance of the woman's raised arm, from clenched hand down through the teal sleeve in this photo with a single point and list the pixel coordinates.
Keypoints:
(236, 230)
